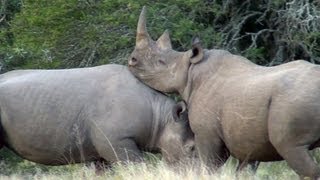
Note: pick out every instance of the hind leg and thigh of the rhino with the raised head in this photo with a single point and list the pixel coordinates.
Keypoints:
(292, 130)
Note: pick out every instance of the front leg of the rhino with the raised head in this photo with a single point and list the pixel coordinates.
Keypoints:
(212, 151)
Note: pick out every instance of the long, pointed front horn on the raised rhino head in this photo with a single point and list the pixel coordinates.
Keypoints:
(142, 39)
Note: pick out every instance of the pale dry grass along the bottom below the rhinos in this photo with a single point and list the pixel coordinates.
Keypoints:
(159, 171)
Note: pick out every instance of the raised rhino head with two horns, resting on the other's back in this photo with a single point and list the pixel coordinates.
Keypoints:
(157, 64)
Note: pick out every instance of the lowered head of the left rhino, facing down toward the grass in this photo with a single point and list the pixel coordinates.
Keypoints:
(176, 141)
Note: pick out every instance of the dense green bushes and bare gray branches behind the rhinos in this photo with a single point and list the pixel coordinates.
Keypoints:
(80, 33)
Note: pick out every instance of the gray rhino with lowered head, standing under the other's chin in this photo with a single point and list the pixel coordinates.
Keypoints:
(57, 117)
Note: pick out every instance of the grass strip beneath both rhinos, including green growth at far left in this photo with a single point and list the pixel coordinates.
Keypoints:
(13, 167)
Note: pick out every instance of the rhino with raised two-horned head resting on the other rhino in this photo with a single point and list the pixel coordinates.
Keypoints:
(236, 107)
